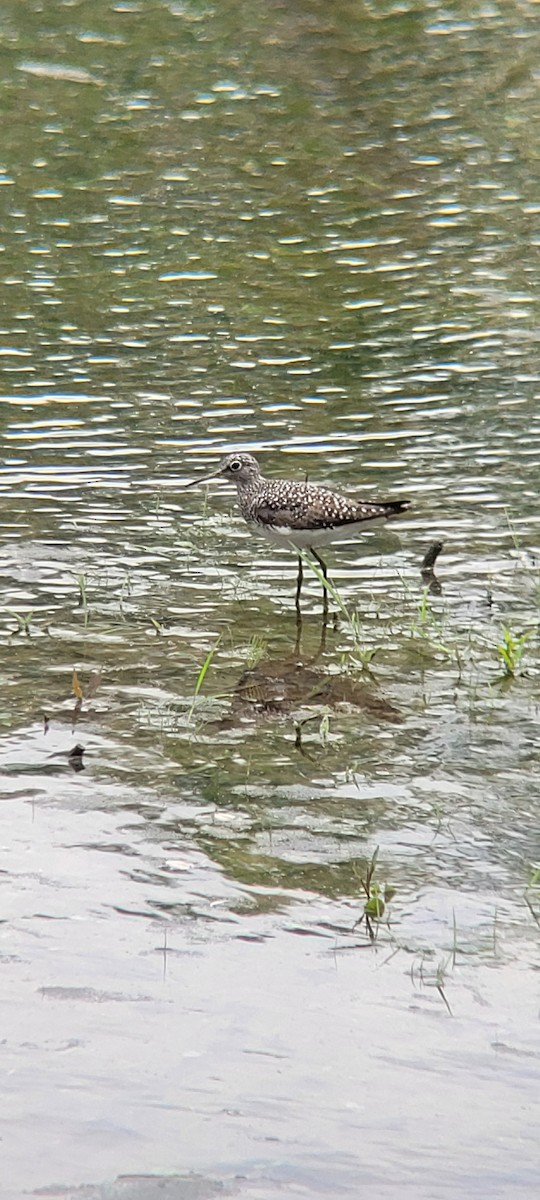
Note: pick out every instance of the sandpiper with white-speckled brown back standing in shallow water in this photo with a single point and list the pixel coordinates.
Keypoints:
(301, 515)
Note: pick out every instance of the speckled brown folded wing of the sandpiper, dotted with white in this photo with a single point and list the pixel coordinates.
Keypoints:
(291, 506)
